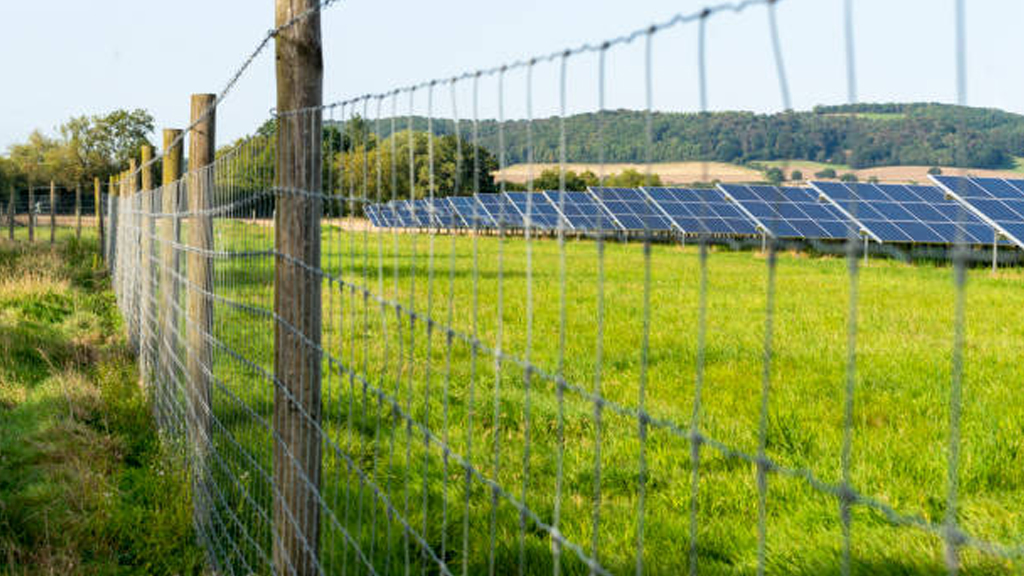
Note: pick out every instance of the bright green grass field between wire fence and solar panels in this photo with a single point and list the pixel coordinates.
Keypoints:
(398, 388)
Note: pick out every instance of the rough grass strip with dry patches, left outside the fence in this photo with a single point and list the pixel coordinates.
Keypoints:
(84, 484)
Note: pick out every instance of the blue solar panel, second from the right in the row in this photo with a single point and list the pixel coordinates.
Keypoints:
(919, 215)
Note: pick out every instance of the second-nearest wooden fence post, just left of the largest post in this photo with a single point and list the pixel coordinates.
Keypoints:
(200, 325)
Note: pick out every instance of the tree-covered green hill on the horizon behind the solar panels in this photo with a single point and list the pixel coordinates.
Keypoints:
(861, 136)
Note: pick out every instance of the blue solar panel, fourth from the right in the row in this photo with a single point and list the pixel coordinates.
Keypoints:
(709, 211)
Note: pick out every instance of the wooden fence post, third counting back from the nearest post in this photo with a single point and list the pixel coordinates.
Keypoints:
(169, 232)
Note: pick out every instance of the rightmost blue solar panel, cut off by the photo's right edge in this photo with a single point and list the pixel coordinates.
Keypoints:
(998, 202)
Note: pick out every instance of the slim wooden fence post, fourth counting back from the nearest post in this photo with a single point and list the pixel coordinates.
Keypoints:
(148, 308)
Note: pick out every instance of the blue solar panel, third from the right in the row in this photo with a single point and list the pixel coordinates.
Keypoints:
(792, 213)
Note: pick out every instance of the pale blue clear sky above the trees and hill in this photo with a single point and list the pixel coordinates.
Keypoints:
(66, 58)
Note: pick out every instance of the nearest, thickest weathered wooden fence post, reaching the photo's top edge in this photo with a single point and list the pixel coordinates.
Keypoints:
(297, 291)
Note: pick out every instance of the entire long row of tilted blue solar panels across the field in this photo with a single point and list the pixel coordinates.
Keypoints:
(968, 210)
